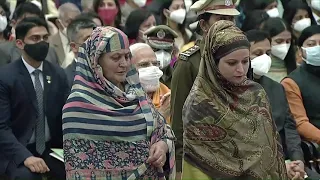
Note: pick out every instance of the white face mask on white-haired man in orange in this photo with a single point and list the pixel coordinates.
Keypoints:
(149, 78)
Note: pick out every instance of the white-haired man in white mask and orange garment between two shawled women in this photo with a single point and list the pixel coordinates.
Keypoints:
(147, 65)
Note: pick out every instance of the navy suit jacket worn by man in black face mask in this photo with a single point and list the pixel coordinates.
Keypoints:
(18, 107)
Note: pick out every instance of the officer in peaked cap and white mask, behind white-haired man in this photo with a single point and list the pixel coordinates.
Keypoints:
(161, 39)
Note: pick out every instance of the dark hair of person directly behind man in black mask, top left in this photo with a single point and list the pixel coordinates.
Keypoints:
(27, 8)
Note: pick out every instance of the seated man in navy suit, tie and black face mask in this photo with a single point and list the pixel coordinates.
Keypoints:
(33, 93)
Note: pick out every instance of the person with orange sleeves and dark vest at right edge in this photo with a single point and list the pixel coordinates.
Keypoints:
(302, 86)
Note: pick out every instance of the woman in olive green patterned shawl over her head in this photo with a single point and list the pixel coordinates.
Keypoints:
(228, 128)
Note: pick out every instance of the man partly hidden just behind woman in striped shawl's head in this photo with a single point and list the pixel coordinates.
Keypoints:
(78, 32)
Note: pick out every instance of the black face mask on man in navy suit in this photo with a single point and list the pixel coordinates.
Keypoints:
(37, 51)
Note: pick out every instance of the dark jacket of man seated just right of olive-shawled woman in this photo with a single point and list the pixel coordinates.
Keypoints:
(282, 116)
